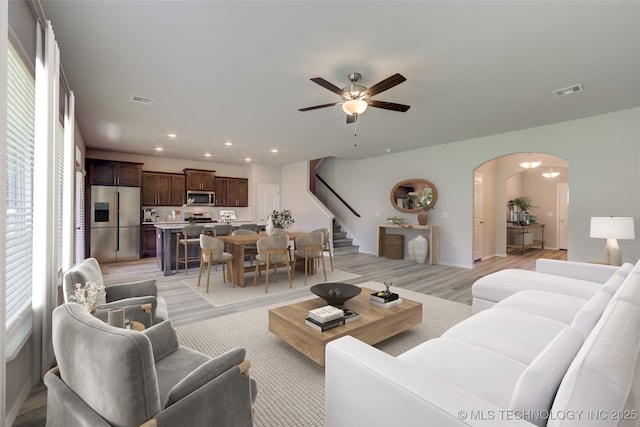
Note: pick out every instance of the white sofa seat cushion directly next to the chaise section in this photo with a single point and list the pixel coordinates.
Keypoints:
(562, 308)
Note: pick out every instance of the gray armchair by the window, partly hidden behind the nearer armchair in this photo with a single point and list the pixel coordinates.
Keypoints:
(139, 299)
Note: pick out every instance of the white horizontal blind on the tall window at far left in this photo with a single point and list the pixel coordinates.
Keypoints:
(19, 219)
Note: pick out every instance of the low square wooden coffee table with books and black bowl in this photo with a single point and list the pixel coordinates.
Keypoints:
(374, 325)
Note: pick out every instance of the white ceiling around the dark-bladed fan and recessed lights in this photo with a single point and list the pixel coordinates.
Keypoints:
(238, 71)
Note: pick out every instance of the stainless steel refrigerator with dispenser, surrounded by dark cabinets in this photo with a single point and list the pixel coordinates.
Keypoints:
(115, 223)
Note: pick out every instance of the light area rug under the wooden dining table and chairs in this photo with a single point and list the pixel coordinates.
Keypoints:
(224, 293)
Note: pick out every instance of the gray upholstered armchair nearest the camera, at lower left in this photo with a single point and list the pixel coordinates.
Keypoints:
(107, 376)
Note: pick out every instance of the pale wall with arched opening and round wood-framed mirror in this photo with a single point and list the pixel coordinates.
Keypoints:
(601, 150)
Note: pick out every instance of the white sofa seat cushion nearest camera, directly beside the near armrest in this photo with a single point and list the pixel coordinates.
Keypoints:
(467, 366)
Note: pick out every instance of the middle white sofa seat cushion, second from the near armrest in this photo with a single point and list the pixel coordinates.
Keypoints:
(520, 336)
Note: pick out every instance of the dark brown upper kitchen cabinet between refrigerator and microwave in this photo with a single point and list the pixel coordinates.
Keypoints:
(162, 189)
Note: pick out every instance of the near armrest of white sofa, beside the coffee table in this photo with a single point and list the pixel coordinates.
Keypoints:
(396, 393)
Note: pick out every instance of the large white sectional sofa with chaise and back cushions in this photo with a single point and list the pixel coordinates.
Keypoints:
(556, 347)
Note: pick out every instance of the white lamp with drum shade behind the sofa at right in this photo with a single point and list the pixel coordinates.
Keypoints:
(612, 228)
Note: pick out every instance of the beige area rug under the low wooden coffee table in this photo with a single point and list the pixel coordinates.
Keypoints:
(290, 386)
